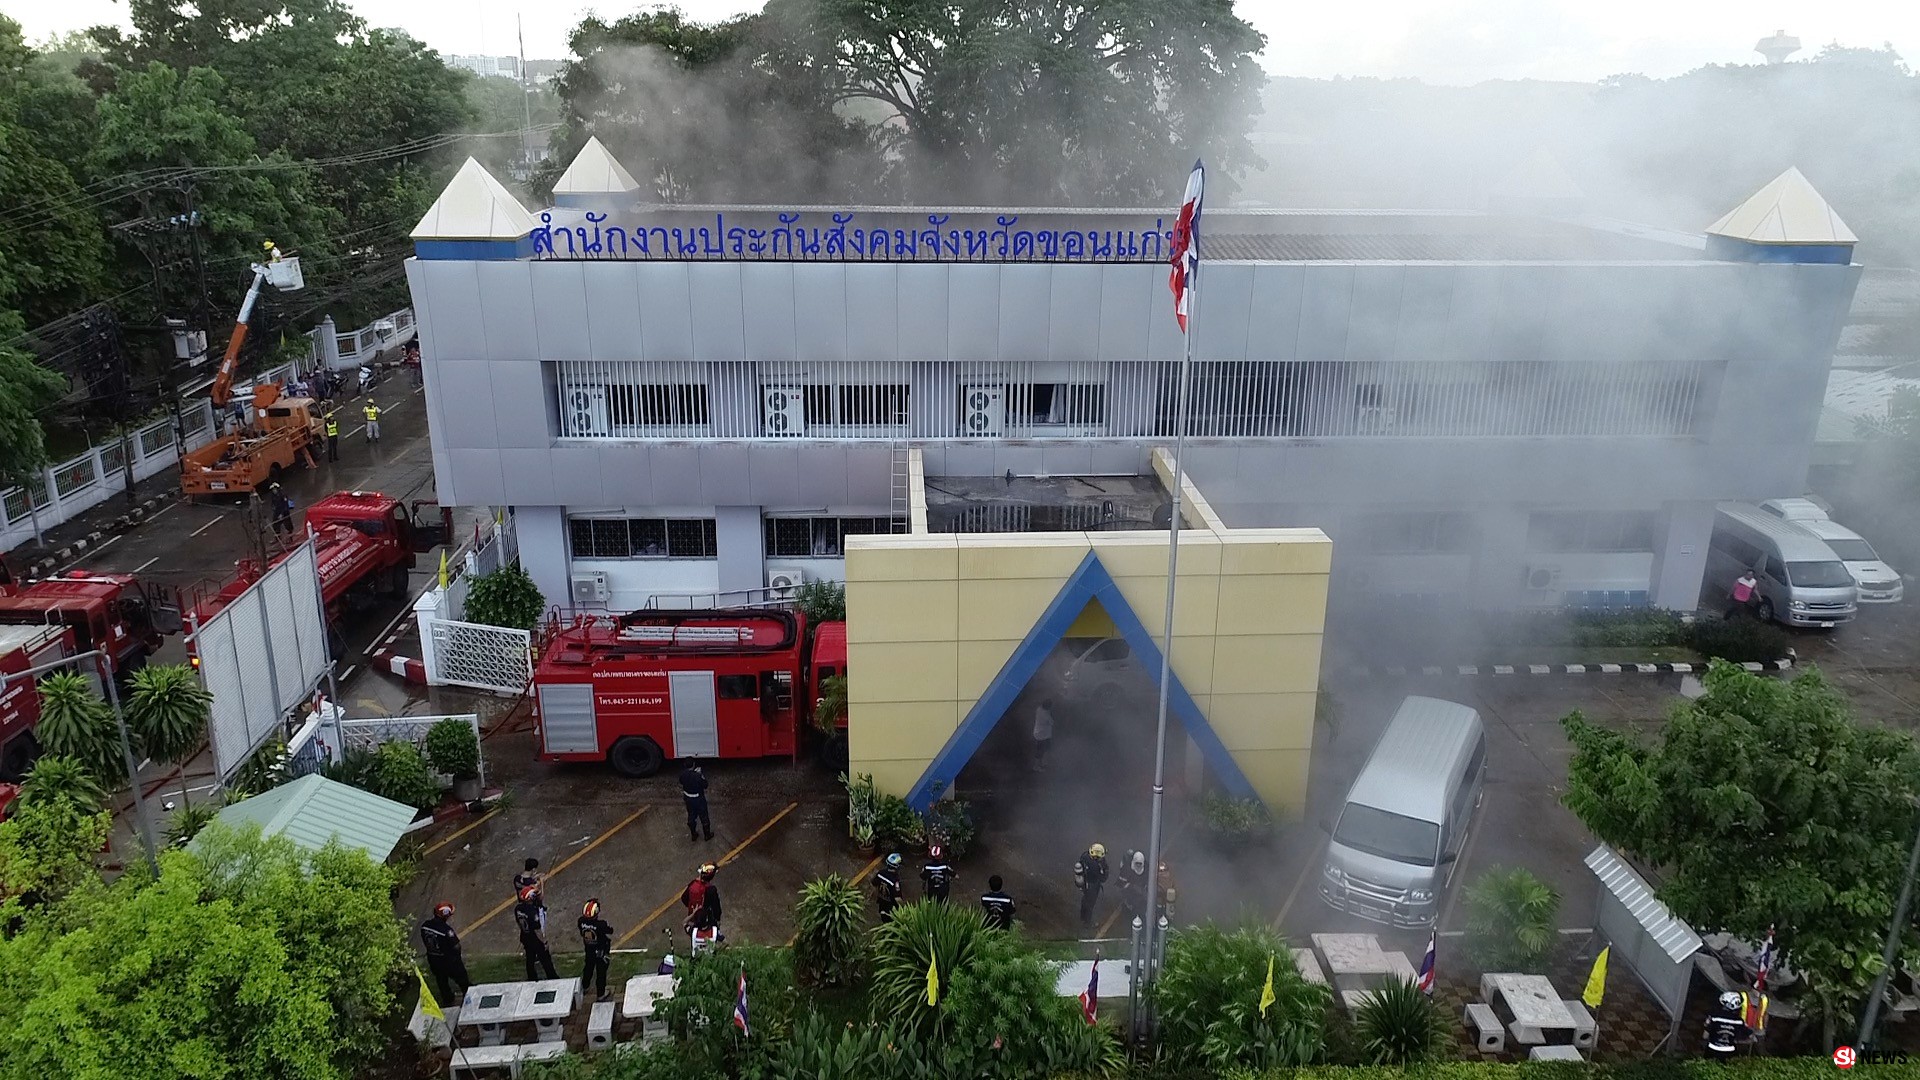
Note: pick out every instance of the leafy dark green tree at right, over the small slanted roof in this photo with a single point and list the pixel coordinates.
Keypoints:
(1765, 804)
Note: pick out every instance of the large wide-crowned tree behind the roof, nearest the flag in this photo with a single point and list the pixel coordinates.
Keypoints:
(1053, 105)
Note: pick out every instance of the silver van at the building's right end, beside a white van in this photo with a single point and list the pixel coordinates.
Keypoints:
(1802, 581)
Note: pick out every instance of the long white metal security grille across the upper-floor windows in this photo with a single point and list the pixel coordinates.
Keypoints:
(1090, 401)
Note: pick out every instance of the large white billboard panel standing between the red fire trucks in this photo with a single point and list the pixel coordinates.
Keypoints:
(264, 654)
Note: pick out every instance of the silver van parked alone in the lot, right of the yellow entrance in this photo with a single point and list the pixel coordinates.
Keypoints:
(1408, 816)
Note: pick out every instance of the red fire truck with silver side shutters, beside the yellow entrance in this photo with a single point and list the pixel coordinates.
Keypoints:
(640, 689)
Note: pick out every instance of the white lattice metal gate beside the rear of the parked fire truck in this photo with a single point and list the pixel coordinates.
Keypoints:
(473, 654)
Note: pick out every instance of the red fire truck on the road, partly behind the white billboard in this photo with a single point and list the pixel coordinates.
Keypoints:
(366, 543)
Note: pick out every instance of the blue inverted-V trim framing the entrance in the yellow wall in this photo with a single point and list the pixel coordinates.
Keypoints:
(1088, 583)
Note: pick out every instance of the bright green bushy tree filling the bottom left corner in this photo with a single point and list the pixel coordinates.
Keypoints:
(249, 958)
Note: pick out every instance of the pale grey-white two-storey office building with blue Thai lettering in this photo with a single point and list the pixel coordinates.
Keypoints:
(1497, 410)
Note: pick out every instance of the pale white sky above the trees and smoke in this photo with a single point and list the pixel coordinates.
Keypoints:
(1439, 41)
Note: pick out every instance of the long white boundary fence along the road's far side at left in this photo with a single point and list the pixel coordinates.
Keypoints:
(74, 487)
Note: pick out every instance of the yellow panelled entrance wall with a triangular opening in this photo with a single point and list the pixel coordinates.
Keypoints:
(934, 618)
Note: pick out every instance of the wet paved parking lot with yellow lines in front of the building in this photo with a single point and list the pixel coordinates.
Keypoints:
(779, 823)
